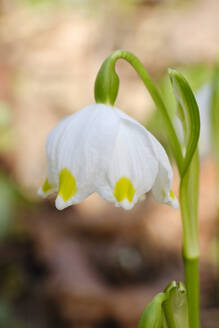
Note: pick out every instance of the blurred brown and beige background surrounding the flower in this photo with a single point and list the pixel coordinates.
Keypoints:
(93, 265)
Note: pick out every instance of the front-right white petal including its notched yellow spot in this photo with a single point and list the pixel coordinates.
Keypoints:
(132, 161)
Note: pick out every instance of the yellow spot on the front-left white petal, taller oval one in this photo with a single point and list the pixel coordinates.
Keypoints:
(67, 184)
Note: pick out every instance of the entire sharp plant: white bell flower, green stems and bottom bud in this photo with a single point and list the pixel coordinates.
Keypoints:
(101, 149)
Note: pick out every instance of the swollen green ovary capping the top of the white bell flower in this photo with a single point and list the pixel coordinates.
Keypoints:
(107, 83)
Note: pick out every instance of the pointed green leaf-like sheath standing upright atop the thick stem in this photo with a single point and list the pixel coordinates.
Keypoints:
(189, 115)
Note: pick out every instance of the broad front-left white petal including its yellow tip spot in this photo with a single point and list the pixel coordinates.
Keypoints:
(81, 145)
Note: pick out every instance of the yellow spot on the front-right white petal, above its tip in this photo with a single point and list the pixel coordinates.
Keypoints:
(124, 189)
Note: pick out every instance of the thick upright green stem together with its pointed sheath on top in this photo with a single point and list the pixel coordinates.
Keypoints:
(190, 119)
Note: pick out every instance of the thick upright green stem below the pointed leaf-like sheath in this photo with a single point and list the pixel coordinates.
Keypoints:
(189, 202)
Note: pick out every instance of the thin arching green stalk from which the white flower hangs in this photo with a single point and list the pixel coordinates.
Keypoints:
(141, 71)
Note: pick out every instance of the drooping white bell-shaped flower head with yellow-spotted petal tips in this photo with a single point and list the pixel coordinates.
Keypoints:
(101, 149)
